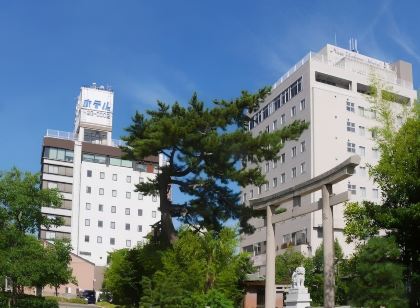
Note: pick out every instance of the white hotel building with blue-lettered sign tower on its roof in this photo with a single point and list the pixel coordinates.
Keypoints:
(101, 210)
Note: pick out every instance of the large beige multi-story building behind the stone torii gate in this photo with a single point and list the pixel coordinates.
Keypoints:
(327, 89)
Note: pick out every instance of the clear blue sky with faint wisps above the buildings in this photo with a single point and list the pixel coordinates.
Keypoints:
(148, 50)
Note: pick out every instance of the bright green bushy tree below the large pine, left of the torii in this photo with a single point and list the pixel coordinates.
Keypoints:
(199, 267)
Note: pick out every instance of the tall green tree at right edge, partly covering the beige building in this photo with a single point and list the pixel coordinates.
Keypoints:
(398, 176)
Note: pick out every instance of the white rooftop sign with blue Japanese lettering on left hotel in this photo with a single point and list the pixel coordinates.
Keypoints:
(95, 106)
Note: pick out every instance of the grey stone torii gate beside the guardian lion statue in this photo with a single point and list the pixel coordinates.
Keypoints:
(274, 202)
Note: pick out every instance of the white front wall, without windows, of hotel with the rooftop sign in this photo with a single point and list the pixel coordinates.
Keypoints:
(99, 251)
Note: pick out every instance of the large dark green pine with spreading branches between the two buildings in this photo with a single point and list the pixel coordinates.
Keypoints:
(203, 148)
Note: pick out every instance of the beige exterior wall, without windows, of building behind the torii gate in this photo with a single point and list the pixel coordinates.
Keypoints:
(327, 137)
